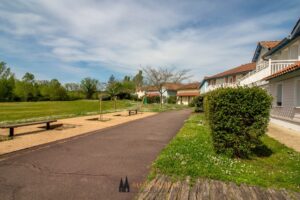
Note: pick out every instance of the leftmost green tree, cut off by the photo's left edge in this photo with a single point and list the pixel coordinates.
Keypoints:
(7, 83)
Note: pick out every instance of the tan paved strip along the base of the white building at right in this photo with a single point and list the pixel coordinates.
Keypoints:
(285, 136)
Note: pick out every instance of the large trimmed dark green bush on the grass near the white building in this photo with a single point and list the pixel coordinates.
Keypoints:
(238, 117)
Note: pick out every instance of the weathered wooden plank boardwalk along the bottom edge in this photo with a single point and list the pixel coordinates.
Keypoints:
(162, 188)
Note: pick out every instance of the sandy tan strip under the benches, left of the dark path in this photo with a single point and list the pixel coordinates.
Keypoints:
(29, 136)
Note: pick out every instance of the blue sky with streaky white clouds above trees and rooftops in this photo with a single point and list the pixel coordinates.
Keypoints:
(70, 40)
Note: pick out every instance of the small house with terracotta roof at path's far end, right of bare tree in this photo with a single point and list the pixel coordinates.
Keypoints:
(187, 92)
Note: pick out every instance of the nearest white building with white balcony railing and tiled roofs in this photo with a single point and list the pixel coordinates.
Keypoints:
(278, 71)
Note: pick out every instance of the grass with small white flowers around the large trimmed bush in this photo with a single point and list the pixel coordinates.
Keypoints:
(191, 153)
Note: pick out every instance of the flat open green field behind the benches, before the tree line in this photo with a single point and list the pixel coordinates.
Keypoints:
(30, 111)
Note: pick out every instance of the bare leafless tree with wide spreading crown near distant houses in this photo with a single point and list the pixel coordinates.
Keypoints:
(159, 77)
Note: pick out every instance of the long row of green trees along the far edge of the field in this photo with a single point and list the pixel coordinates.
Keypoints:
(29, 89)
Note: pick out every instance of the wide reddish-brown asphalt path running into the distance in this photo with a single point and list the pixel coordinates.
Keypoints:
(89, 166)
